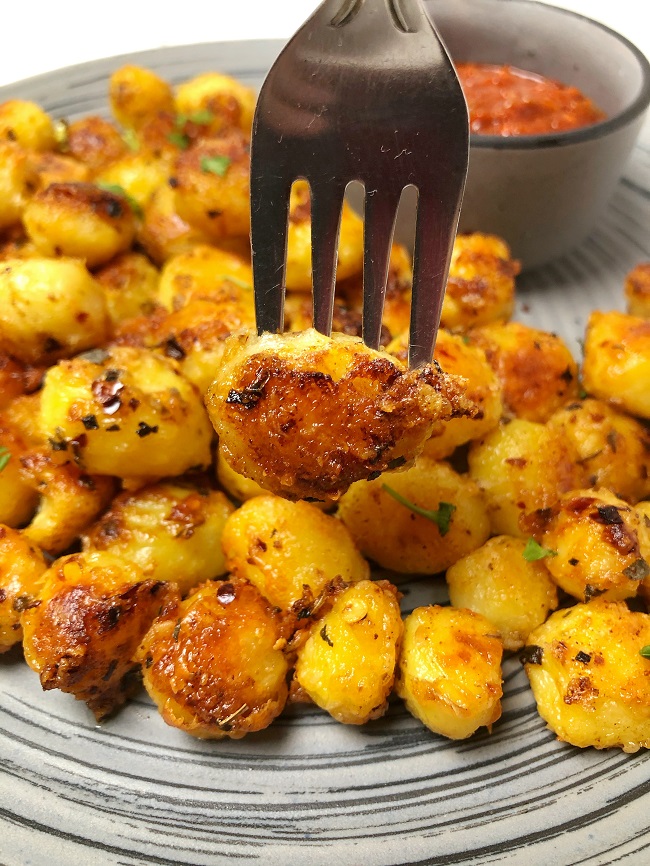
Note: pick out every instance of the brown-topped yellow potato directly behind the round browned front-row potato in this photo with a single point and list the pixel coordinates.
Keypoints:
(172, 531)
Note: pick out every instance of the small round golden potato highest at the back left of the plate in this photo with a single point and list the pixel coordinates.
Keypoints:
(136, 93)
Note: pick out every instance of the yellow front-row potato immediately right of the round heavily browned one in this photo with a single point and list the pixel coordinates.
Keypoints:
(347, 665)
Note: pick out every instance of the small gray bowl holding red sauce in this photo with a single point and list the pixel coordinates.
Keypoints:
(544, 193)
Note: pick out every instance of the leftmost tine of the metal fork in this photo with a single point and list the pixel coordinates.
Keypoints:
(269, 224)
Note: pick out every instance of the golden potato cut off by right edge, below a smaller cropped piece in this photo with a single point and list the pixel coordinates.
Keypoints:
(616, 365)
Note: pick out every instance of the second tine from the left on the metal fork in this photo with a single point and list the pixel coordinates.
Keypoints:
(326, 204)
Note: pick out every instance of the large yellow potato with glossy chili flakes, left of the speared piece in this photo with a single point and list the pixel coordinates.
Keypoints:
(104, 406)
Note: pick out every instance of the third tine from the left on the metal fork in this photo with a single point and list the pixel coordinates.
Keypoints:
(380, 211)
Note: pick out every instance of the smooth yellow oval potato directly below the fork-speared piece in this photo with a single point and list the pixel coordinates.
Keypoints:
(285, 547)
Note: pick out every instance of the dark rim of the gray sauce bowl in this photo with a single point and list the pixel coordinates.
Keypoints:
(584, 133)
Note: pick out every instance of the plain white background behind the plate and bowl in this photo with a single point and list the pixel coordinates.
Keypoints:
(38, 36)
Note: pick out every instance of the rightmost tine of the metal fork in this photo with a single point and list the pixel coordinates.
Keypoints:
(431, 259)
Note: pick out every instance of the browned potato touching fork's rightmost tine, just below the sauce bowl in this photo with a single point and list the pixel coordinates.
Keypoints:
(481, 283)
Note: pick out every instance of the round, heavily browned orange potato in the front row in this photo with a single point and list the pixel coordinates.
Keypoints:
(214, 663)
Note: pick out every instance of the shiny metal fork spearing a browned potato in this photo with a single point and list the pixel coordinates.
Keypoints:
(364, 91)
